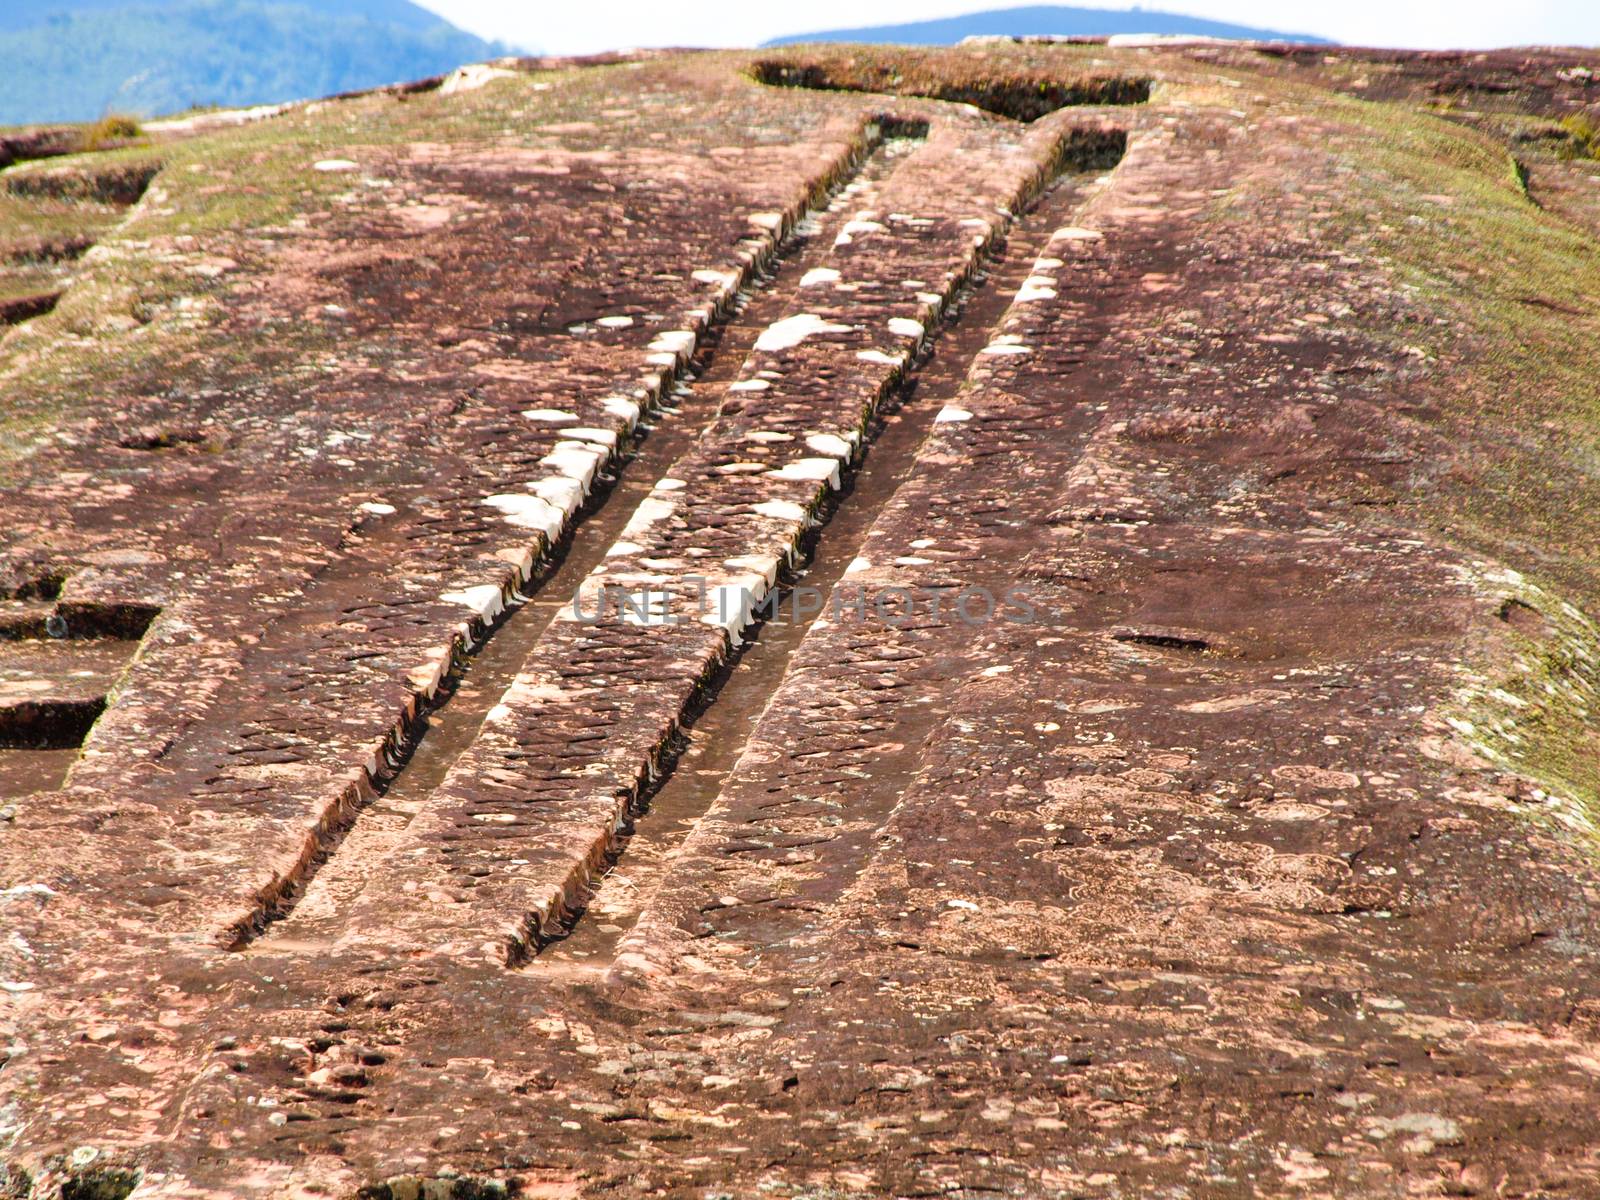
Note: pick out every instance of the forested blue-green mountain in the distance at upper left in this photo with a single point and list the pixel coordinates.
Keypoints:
(79, 60)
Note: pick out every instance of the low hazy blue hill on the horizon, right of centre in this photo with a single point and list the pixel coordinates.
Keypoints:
(1042, 20)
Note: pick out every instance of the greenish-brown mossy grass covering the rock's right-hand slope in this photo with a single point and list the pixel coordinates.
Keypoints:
(1495, 303)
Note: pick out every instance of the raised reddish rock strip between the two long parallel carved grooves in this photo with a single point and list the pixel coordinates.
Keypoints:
(502, 839)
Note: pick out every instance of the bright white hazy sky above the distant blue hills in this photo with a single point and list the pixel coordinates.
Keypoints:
(578, 26)
